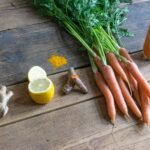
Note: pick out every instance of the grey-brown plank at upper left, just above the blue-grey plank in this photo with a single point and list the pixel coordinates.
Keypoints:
(19, 17)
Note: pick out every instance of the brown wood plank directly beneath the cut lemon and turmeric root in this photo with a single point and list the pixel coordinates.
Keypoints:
(22, 107)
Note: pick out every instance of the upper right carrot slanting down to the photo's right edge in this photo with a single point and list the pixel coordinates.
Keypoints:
(133, 69)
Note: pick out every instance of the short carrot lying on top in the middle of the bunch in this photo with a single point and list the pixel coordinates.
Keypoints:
(116, 66)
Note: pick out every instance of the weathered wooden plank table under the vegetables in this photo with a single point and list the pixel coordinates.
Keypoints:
(72, 122)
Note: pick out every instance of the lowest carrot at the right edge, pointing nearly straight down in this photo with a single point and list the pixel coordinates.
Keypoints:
(145, 101)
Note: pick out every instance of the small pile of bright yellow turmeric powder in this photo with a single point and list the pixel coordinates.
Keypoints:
(57, 61)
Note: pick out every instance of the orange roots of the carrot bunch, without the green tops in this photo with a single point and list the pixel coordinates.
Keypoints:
(122, 84)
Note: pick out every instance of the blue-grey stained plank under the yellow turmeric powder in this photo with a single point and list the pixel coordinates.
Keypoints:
(23, 47)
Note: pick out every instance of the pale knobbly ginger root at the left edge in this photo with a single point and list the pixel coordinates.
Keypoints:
(4, 98)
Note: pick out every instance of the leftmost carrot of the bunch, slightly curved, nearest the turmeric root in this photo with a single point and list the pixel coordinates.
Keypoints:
(107, 94)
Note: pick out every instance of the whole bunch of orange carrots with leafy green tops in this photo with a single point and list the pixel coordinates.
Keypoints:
(116, 74)
